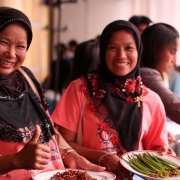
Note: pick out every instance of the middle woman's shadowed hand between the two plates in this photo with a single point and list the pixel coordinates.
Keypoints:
(112, 164)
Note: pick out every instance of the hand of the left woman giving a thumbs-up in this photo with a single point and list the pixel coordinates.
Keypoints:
(33, 155)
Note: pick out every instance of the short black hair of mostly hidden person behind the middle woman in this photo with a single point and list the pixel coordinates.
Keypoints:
(136, 20)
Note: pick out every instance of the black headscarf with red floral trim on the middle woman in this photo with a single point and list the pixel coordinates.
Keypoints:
(114, 97)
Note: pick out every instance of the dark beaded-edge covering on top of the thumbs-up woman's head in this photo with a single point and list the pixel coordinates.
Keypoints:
(10, 15)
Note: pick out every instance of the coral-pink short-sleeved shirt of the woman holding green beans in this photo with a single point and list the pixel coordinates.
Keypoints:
(94, 134)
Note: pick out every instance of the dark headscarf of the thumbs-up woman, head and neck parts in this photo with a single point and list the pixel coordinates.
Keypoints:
(14, 84)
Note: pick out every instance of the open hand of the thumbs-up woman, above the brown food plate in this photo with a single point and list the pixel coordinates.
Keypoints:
(75, 161)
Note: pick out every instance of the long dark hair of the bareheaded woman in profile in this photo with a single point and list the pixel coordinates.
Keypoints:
(154, 39)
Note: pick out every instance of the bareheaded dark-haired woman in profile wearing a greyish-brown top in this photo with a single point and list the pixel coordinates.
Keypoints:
(160, 45)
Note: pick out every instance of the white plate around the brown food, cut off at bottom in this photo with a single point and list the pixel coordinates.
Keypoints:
(95, 174)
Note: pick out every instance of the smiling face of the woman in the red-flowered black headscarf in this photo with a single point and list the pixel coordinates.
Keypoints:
(121, 53)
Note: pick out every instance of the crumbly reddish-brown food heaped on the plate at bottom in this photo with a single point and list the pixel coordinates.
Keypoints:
(72, 175)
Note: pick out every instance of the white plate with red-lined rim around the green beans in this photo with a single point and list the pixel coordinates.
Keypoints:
(173, 159)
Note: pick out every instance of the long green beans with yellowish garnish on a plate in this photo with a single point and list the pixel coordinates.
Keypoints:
(154, 166)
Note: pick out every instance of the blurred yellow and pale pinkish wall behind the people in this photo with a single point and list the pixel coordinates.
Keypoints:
(82, 20)
